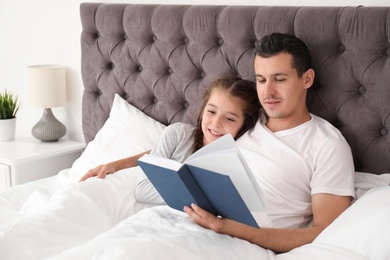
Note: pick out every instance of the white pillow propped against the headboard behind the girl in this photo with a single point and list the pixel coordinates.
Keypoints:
(127, 131)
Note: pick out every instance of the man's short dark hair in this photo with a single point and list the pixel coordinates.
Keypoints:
(275, 43)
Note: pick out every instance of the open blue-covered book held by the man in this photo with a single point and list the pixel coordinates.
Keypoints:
(216, 178)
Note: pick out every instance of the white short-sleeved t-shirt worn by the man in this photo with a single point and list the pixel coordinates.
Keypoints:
(294, 164)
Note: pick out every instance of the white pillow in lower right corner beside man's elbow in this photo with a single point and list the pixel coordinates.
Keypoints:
(363, 228)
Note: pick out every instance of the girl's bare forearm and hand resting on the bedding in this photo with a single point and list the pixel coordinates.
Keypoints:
(102, 170)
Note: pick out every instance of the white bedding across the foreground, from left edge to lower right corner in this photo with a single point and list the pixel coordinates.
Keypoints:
(100, 219)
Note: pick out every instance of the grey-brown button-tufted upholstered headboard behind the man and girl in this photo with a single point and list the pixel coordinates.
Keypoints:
(161, 57)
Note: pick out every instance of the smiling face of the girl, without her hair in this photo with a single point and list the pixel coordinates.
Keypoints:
(223, 114)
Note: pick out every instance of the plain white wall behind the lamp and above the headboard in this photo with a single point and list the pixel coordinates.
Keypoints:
(48, 32)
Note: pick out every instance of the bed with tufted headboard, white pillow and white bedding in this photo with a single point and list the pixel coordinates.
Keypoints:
(145, 67)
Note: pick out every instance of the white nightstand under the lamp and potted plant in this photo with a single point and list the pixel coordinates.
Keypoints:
(27, 159)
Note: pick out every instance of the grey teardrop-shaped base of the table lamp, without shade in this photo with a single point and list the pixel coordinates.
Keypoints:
(48, 128)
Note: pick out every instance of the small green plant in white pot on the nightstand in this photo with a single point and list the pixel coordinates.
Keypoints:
(9, 106)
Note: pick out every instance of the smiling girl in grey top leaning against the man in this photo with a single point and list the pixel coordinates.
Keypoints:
(229, 105)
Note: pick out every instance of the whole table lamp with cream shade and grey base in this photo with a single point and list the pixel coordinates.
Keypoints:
(47, 89)
